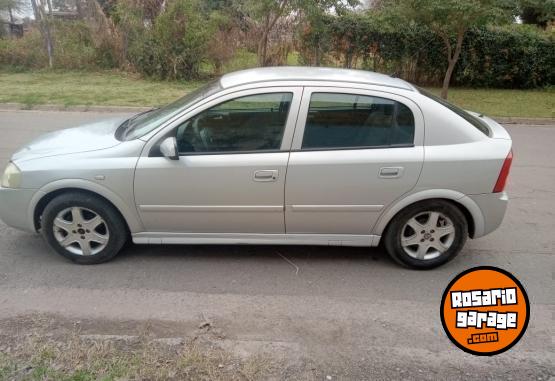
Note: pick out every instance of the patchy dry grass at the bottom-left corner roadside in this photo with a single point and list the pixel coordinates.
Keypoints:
(40, 355)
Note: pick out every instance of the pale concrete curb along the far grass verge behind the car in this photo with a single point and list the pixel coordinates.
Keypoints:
(132, 109)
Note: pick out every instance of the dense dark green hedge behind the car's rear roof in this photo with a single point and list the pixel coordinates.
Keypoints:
(514, 56)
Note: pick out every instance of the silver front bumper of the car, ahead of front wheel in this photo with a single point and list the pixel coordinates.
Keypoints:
(14, 208)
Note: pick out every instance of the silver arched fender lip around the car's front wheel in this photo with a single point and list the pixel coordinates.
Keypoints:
(129, 212)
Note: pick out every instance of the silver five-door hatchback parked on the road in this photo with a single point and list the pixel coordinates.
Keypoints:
(296, 156)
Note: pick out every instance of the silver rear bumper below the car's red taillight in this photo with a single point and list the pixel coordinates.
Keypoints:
(493, 207)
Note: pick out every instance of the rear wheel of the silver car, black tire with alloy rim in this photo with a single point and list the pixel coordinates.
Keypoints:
(427, 234)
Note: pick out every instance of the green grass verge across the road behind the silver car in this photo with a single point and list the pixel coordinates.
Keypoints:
(123, 89)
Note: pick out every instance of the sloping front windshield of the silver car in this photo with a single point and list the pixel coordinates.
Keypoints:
(143, 123)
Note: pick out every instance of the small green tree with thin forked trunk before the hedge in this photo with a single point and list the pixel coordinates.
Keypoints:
(450, 20)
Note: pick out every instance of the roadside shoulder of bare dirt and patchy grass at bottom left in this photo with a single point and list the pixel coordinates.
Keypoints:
(39, 347)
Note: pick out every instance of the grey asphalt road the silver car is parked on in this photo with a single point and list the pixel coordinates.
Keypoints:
(351, 312)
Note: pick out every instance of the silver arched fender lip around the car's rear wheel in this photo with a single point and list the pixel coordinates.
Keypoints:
(460, 198)
